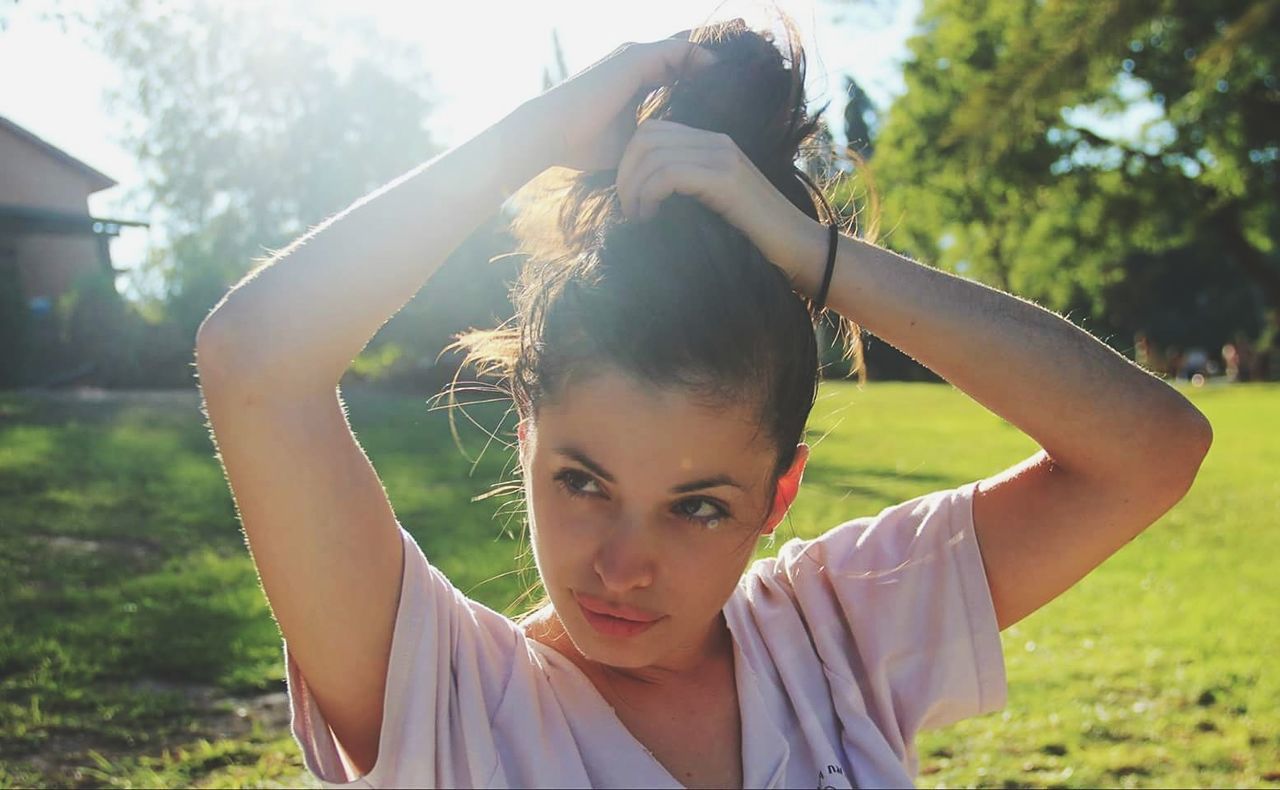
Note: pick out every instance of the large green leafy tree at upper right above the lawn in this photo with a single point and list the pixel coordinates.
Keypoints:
(1040, 145)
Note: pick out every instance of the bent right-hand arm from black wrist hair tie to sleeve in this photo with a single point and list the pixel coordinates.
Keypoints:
(1121, 447)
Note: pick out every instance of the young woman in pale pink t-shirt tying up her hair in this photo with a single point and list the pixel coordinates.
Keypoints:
(664, 366)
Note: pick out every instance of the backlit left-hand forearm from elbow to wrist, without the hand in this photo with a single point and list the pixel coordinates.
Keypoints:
(300, 321)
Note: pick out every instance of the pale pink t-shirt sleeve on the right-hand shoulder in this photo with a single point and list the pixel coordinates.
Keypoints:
(899, 606)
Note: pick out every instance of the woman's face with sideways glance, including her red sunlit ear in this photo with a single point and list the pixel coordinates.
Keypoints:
(647, 504)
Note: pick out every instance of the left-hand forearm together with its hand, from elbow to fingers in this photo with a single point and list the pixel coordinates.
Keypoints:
(305, 317)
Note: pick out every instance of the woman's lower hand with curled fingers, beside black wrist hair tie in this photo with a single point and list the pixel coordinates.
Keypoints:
(665, 158)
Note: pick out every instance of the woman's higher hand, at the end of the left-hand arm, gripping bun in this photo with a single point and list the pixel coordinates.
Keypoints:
(592, 117)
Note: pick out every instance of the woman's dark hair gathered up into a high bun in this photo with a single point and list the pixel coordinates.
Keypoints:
(683, 299)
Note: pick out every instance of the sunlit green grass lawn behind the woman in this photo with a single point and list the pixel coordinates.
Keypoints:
(136, 649)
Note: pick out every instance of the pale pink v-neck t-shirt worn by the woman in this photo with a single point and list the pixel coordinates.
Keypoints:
(845, 647)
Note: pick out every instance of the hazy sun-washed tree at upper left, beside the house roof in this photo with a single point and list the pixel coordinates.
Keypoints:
(253, 124)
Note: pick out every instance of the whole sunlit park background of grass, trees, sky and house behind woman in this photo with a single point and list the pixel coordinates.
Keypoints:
(1116, 162)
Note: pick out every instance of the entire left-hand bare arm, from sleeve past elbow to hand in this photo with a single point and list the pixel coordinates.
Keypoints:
(319, 524)
